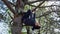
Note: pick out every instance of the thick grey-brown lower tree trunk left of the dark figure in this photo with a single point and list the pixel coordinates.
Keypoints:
(17, 26)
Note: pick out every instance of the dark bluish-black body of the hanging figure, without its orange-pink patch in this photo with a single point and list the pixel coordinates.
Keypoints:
(29, 18)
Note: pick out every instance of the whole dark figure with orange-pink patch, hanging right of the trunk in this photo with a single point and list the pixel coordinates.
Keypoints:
(29, 19)
